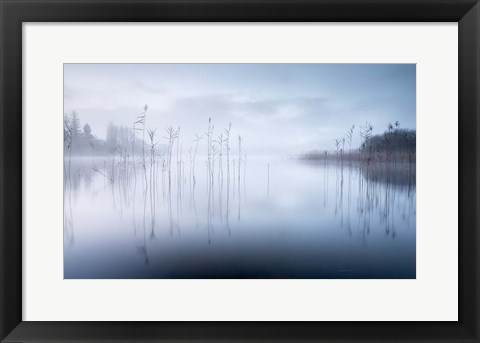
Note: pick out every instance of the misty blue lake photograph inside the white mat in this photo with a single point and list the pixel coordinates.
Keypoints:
(185, 202)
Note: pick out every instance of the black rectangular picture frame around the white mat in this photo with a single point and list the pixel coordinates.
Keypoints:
(15, 12)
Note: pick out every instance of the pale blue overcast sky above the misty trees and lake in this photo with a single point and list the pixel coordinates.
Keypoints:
(276, 108)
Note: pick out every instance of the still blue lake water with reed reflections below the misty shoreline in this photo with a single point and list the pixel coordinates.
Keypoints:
(269, 218)
